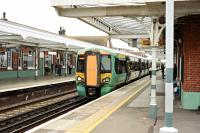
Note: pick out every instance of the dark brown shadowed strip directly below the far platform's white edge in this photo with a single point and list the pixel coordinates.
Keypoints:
(14, 98)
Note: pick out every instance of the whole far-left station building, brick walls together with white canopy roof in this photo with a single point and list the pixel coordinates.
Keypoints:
(29, 52)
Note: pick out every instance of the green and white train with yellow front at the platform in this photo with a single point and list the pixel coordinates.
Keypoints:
(100, 70)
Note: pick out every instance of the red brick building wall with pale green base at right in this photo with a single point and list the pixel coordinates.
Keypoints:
(187, 53)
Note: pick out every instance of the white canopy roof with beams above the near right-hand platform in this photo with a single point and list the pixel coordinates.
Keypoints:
(122, 19)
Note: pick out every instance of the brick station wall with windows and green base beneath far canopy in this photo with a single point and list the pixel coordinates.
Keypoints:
(20, 61)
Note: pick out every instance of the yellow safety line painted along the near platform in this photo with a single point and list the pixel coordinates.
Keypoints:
(113, 110)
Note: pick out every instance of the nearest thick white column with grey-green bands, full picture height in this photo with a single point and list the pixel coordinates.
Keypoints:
(168, 128)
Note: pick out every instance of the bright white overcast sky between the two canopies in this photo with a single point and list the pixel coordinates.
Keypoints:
(40, 14)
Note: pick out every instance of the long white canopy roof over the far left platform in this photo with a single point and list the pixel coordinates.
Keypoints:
(16, 35)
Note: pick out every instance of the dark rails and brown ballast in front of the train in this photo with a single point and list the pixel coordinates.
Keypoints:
(24, 116)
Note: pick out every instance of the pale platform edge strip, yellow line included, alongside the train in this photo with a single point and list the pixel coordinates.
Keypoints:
(87, 117)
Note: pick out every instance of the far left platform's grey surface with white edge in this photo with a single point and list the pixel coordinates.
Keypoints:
(23, 83)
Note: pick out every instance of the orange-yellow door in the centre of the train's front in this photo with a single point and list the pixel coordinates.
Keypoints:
(92, 69)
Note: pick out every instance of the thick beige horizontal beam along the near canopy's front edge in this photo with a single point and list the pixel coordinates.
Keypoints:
(181, 9)
